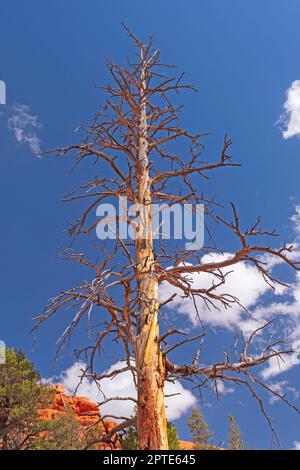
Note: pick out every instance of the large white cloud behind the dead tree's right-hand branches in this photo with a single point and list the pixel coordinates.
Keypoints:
(245, 282)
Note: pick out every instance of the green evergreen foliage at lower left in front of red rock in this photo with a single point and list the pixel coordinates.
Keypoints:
(21, 396)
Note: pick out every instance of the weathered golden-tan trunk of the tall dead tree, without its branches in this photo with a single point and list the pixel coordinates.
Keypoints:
(151, 418)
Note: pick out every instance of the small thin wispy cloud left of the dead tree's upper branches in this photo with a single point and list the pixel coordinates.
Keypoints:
(24, 125)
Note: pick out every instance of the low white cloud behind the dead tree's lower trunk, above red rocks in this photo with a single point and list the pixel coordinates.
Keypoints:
(122, 386)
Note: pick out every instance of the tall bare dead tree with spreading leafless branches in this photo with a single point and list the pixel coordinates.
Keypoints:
(143, 154)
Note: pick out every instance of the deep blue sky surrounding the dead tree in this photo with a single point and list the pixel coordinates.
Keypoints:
(242, 57)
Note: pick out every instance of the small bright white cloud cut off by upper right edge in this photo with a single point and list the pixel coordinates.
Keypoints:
(291, 117)
